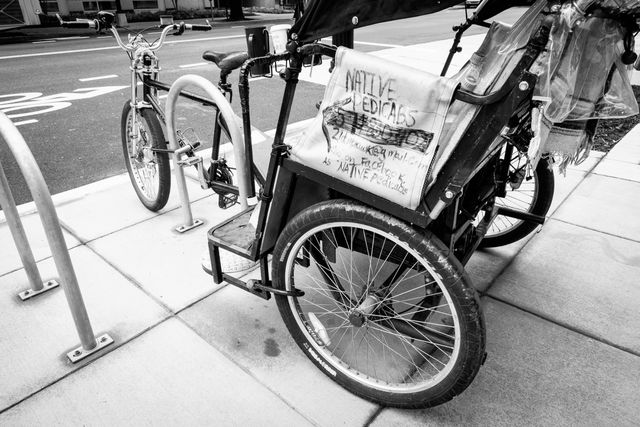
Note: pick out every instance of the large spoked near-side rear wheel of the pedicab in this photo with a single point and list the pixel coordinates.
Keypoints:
(410, 314)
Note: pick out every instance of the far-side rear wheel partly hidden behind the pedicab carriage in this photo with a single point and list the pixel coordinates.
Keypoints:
(534, 196)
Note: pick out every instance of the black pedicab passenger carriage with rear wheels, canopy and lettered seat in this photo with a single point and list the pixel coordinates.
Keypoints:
(365, 220)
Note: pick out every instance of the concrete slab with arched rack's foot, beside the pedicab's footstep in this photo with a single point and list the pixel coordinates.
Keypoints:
(162, 261)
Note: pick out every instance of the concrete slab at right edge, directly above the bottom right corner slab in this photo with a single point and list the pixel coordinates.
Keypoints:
(580, 278)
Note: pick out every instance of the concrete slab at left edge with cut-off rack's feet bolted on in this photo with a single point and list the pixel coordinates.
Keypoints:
(37, 334)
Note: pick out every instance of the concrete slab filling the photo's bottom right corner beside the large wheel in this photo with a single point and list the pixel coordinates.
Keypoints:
(537, 373)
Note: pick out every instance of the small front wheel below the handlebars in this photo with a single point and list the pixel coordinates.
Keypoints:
(149, 172)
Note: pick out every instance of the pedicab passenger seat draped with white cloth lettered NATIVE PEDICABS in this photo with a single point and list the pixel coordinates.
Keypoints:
(399, 157)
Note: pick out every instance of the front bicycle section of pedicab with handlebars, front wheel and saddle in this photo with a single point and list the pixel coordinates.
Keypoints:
(143, 141)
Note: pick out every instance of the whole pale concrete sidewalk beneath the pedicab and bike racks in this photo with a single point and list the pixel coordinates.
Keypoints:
(561, 311)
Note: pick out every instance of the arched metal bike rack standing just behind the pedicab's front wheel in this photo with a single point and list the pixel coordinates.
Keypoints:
(242, 169)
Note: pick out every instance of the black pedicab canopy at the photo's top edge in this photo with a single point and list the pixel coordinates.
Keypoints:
(324, 18)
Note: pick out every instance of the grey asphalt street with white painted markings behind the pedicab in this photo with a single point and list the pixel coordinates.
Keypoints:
(66, 94)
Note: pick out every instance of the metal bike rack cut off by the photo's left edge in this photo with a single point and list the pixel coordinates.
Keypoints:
(42, 198)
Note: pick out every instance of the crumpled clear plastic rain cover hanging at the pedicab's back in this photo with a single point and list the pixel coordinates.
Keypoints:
(582, 77)
